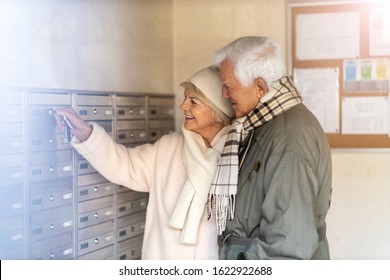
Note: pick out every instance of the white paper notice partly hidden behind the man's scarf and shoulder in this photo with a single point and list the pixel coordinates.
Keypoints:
(319, 88)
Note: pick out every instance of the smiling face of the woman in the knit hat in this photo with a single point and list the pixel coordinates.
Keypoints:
(199, 117)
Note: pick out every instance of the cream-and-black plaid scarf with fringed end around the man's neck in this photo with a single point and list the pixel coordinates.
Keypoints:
(221, 197)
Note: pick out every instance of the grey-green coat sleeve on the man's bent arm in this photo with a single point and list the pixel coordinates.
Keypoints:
(288, 214)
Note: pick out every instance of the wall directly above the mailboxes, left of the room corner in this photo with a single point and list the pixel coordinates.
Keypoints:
(87, 44)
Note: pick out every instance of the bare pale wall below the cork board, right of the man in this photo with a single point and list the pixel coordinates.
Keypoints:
(359, 219)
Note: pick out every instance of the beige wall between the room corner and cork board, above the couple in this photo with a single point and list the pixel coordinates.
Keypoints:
(202, 26)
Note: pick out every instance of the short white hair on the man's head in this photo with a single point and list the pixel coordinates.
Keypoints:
(254, 57)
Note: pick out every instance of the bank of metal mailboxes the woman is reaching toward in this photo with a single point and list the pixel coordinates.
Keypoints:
(53, 203)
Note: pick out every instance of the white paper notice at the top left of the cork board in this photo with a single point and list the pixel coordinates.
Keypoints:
(327, 36)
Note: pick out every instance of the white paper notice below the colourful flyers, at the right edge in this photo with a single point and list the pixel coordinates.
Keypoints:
(365, 115)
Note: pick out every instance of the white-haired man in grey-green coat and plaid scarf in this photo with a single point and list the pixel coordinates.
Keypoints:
(272, 188)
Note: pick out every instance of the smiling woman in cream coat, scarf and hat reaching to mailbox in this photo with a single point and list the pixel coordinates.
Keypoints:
(177, 170)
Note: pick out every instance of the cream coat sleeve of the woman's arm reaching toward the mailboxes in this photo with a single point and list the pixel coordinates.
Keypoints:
(130, 167)
